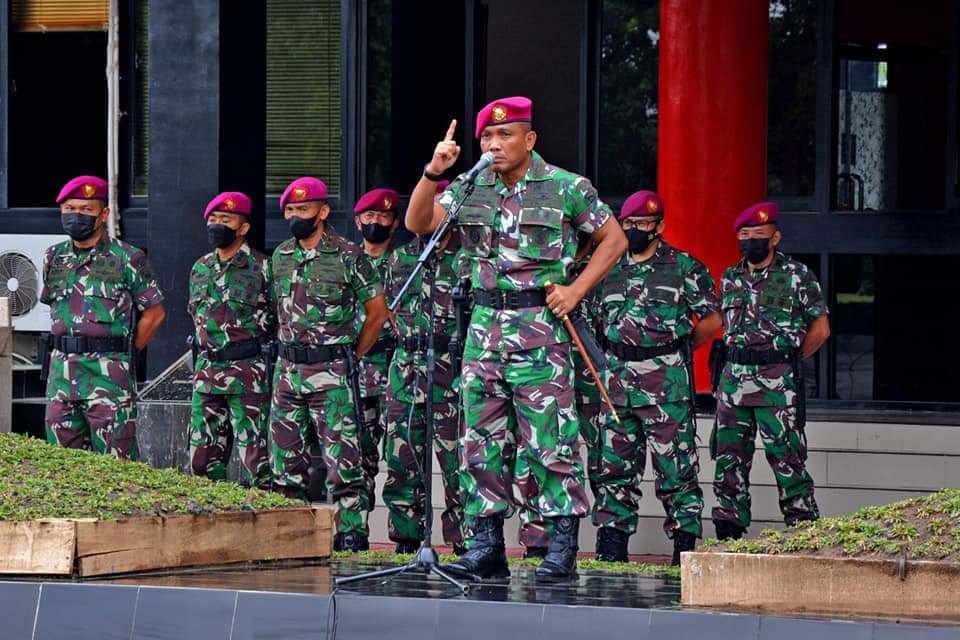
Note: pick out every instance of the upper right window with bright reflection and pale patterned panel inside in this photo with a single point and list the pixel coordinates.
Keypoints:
(891, 105)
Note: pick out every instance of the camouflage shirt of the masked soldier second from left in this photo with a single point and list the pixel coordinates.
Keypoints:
(231, 302)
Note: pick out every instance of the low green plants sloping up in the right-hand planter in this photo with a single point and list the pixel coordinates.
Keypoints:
(925, 528)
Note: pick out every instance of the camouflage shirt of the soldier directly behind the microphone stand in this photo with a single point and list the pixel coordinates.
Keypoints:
(413, 320)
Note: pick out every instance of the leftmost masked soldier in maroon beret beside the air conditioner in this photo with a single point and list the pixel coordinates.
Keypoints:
(94, 284)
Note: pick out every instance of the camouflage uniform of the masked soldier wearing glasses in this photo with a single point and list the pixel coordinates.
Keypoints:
(652, 305)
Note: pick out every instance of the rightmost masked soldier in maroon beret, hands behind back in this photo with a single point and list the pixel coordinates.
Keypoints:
(774, 315)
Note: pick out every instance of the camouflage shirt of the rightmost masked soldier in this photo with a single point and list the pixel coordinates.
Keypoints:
(767, 309)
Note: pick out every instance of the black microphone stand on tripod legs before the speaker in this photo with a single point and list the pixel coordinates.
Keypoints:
(426, 560)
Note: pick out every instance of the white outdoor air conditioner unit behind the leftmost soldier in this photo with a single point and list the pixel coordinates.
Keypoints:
(21, 279)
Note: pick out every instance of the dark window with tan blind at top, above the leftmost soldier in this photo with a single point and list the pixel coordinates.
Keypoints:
(58, 98)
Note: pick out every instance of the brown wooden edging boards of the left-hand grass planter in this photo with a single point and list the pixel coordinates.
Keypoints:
(90, 547)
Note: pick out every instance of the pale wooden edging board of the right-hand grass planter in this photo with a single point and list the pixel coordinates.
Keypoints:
(802, 584)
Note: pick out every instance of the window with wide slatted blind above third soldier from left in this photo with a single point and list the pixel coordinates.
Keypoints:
(303, 92)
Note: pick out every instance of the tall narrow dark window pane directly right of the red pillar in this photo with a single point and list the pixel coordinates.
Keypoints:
(792, 101)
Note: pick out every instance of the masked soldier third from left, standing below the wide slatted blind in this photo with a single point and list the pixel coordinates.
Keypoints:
(319, 279)
